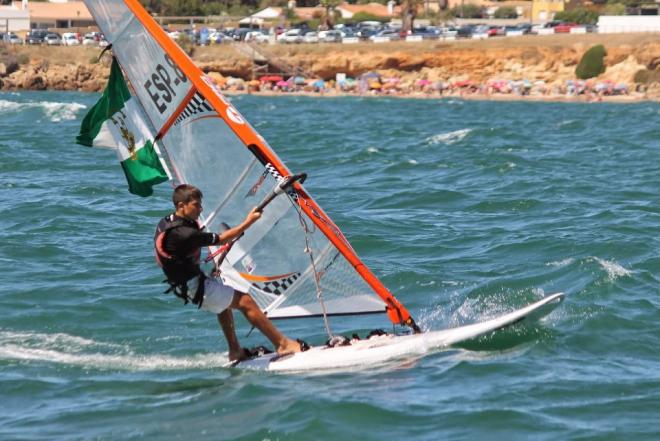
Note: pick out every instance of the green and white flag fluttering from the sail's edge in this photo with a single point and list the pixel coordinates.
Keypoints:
(116, 122)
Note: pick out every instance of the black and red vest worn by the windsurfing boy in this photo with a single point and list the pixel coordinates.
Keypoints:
(178, 269)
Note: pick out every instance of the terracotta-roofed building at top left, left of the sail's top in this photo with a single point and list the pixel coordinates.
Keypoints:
(59, 15)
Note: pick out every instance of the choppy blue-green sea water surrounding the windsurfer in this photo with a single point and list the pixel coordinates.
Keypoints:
(465, 209)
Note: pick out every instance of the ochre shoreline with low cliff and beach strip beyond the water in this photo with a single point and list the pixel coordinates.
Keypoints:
(546, 60)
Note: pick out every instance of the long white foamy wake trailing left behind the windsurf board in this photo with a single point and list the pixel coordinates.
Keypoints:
(77, 351)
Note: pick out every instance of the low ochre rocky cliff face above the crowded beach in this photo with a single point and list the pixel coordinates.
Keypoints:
(631, 59)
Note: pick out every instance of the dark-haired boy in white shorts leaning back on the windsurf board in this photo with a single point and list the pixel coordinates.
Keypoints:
(178, 242)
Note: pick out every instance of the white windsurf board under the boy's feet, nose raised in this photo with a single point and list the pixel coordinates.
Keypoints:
(379, 349)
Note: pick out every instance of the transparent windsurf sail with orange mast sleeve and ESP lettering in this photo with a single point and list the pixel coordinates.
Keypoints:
(295, 262)
